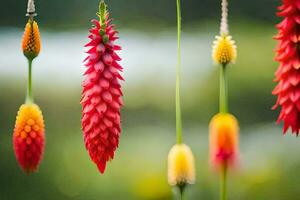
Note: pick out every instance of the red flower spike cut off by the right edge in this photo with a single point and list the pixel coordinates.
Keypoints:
(288, 73)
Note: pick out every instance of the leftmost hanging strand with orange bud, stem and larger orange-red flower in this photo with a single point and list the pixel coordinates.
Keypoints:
(29, 131)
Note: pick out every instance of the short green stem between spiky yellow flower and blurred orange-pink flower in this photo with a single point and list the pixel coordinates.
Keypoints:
(223, 90)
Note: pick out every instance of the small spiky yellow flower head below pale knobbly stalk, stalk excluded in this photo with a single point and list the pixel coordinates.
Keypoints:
(224, 50)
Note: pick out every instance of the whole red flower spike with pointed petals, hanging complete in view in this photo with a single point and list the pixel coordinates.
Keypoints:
(102, 95)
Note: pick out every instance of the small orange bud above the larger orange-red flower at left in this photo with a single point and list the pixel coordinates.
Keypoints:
(31, 43)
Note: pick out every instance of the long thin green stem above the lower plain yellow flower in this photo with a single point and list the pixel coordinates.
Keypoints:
(178, 70)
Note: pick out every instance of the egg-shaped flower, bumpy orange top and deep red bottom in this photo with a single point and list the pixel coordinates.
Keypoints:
(29, 137)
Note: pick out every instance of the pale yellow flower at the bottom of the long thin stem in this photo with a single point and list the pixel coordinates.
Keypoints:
(181, 166)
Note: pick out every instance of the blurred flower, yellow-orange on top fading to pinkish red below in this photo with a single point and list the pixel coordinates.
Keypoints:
(224, 135)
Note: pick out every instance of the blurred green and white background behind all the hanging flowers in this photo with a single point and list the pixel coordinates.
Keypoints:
(269, 162)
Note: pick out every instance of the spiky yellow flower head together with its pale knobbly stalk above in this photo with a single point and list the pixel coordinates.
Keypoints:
(224, 48)
